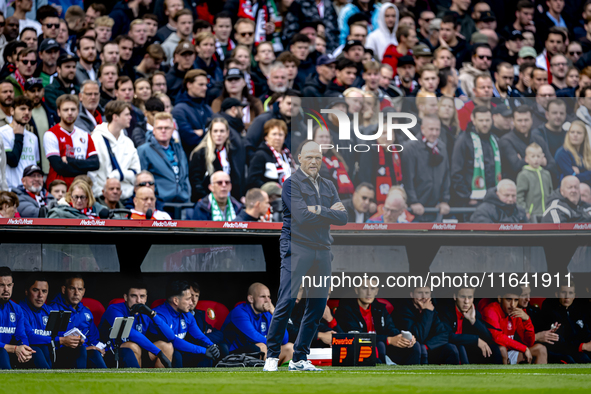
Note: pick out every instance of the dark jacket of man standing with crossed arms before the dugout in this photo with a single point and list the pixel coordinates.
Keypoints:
(309, 229)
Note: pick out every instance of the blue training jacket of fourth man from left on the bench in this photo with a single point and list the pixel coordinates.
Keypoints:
(142, 324)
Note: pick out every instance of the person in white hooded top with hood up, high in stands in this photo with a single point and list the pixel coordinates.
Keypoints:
(386, 32)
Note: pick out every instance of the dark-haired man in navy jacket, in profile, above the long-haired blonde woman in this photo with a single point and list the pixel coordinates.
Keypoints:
(190, 111)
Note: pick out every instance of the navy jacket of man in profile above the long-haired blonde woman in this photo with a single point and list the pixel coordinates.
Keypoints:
(191, 113)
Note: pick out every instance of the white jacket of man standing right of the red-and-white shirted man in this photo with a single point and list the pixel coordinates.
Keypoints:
(127, 159)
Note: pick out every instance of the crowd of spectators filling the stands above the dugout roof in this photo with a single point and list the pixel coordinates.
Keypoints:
(151, 109)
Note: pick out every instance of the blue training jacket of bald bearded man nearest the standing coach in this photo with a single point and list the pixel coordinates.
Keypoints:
(243, 327)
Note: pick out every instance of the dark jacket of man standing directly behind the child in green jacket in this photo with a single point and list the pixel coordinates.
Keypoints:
(513, 144)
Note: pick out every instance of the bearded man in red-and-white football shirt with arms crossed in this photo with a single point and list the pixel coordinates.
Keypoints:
(69, 149)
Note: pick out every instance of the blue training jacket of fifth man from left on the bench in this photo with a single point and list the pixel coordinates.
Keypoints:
(181, 324)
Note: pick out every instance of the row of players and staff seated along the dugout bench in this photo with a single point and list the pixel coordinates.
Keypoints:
(174, 332)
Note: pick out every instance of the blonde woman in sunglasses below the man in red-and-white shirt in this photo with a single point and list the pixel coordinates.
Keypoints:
(79, 203)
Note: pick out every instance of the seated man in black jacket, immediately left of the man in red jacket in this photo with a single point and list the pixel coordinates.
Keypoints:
(468, 331)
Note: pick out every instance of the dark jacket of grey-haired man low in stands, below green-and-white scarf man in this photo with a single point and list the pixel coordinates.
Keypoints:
(493, 210)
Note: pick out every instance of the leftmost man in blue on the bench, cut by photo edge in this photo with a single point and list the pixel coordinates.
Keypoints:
(14, 343)
